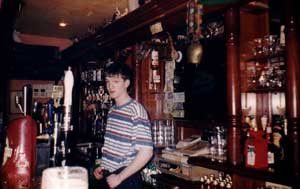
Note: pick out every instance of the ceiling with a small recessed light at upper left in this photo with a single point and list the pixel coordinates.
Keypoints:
(41, 17)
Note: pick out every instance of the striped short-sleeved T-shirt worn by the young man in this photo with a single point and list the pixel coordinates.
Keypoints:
(128, 129)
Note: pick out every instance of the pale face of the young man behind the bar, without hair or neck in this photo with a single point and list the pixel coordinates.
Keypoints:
(116, 86)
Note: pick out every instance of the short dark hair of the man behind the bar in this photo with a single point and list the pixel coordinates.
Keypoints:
(122, 69)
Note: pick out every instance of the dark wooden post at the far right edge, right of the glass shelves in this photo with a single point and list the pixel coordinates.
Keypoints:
(293, 84)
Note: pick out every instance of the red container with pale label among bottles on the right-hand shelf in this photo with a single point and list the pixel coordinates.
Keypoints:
(256, 151)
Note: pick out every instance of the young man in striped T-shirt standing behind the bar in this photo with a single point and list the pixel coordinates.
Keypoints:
(128, 142)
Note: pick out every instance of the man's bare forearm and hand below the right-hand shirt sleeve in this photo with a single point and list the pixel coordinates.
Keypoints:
(143, 156)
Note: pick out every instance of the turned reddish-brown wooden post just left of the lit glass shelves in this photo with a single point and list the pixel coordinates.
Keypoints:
(233, 85)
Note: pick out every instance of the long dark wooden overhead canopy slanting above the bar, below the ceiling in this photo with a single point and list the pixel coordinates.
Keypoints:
(134, 27)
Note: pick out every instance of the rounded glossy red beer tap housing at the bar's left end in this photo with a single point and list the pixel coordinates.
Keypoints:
(19, 160)
